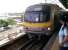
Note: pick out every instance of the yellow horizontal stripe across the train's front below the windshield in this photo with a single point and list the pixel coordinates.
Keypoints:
(28, 24)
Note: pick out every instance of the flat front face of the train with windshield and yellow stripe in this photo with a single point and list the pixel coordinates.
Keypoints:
(37, 20)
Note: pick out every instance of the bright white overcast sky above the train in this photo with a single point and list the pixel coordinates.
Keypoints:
(16, 6)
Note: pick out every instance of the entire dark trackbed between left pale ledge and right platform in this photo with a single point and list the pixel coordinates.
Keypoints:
(24, 43)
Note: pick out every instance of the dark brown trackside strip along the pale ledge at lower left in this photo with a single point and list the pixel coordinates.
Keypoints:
(14, 45)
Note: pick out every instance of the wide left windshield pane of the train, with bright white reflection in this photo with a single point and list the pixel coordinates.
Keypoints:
(31, 16)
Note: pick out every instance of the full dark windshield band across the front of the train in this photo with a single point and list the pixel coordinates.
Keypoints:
(37, 16)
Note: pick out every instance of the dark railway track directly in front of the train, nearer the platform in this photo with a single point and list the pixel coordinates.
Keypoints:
(36, 44)
